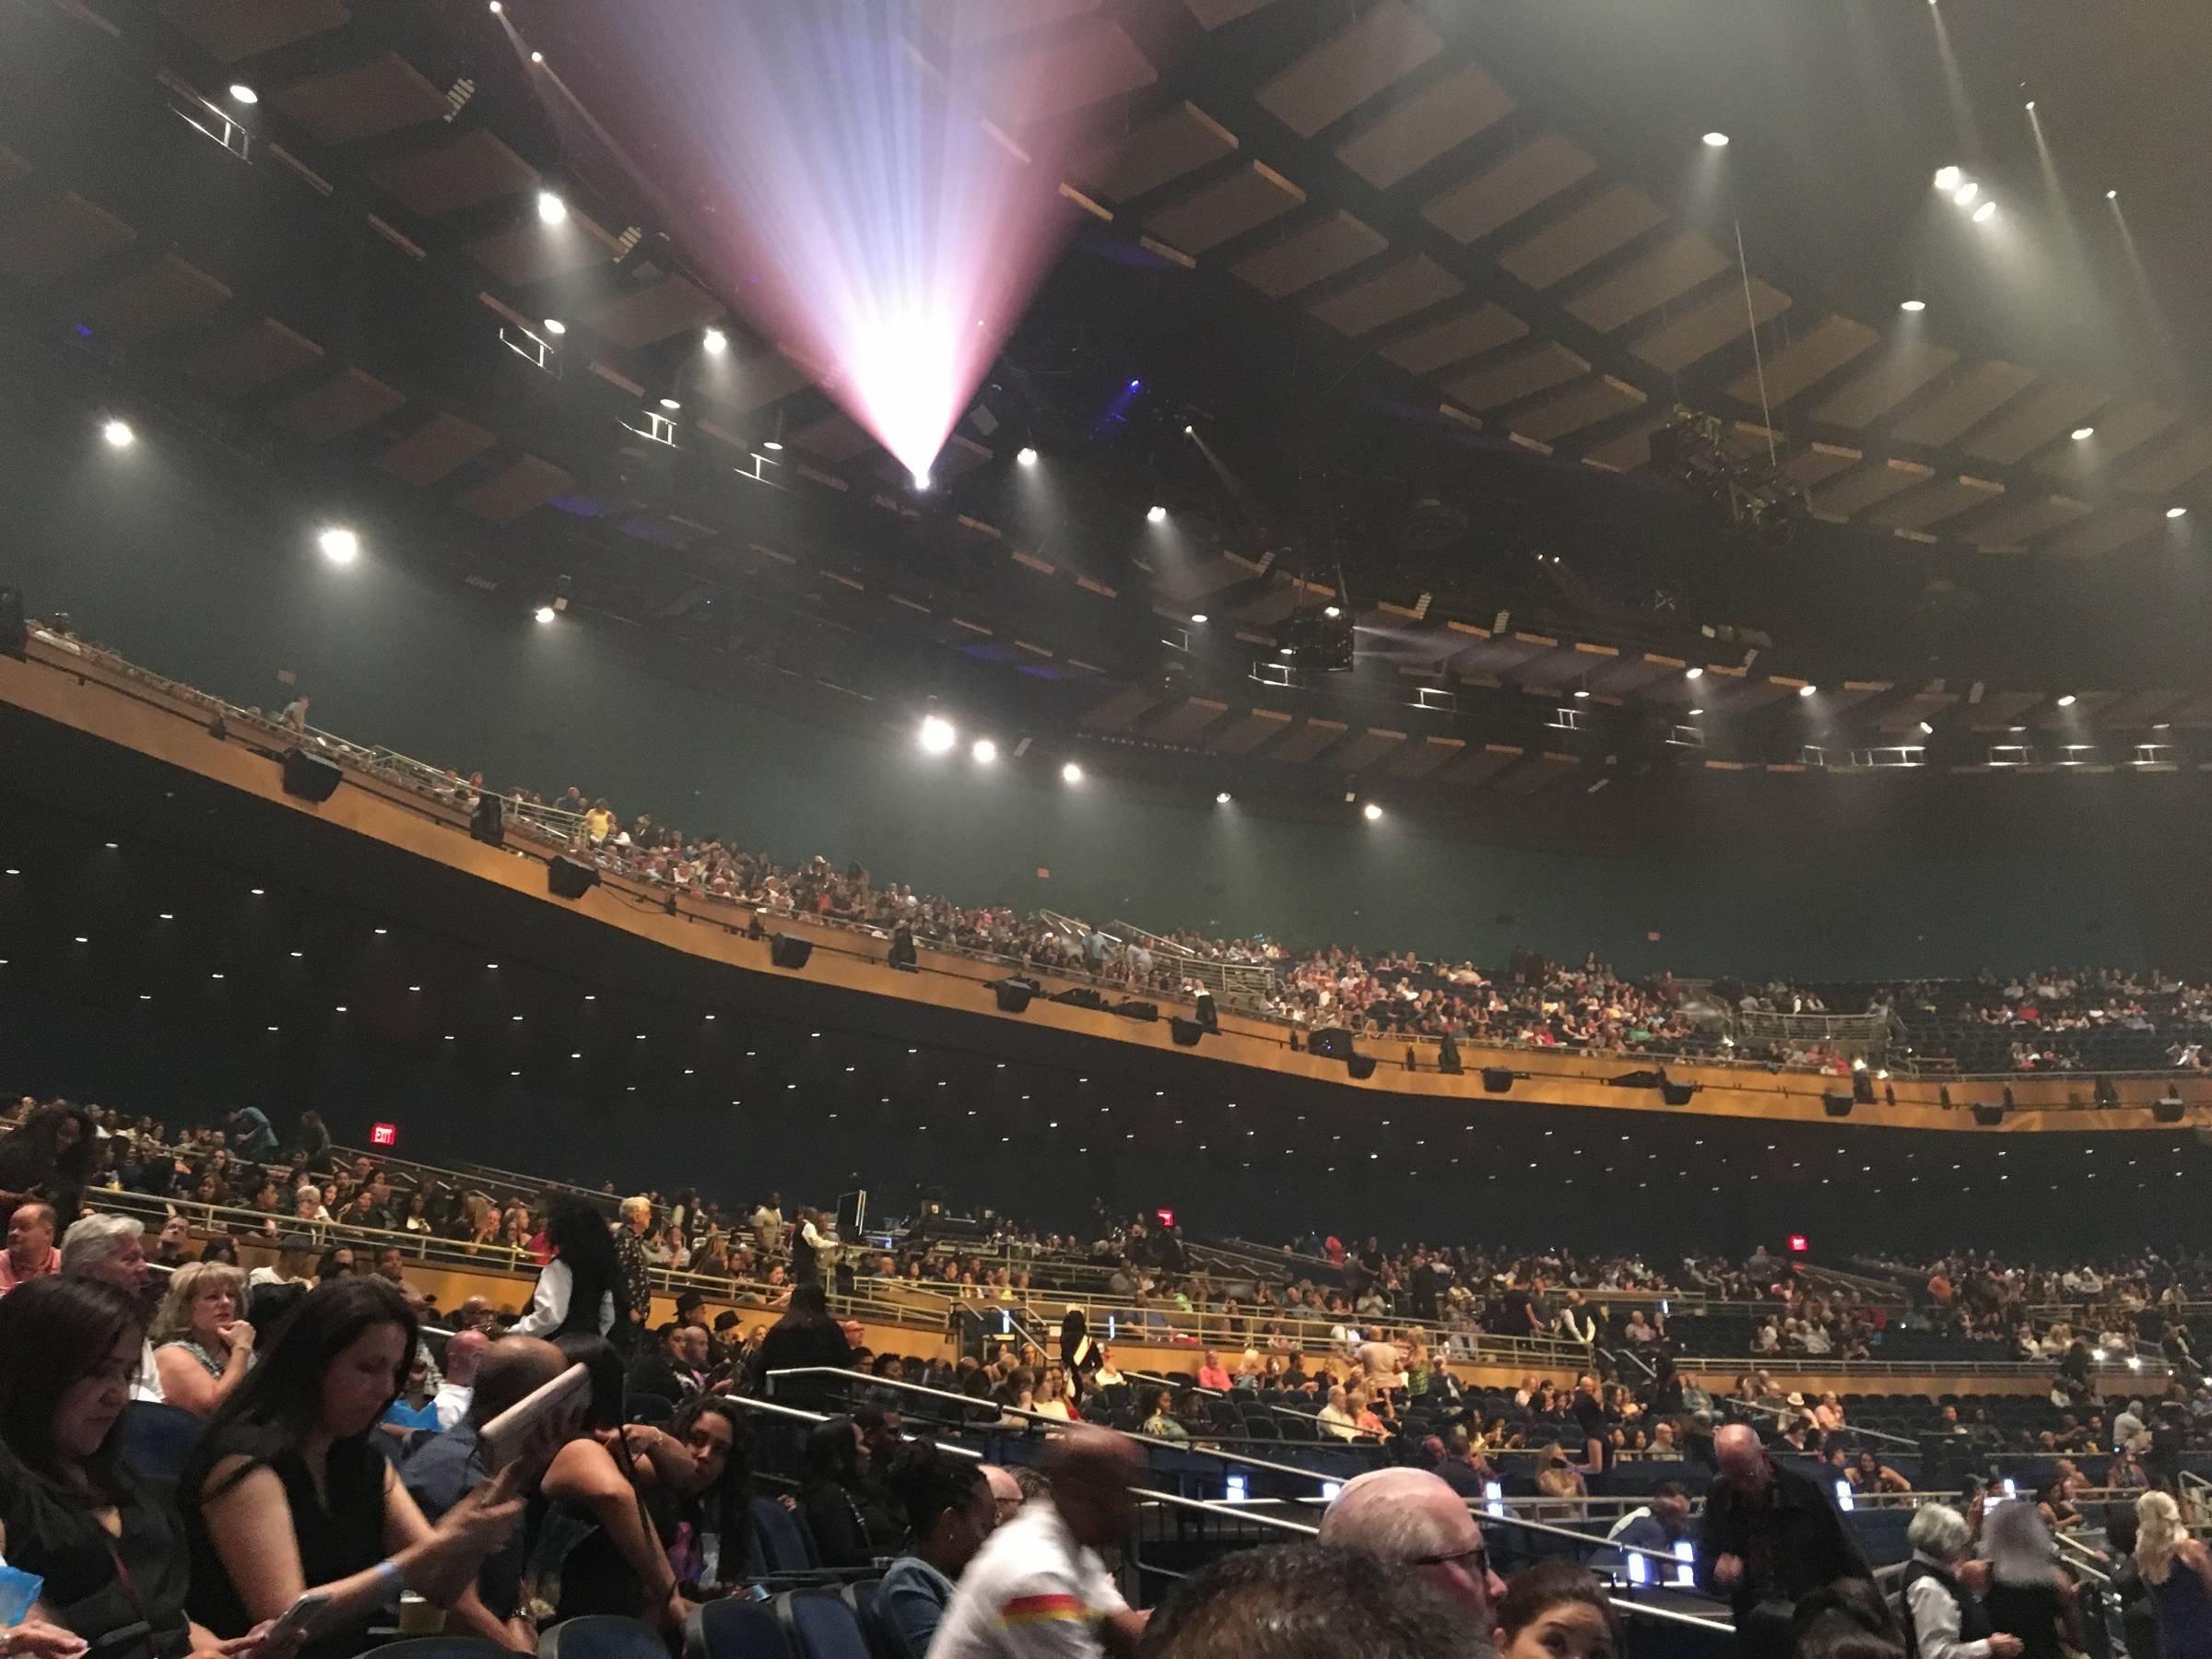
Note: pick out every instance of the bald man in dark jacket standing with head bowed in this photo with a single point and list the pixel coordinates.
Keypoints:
(1768, 1541)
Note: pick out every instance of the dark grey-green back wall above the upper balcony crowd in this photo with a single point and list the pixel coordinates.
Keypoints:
(1804, 877)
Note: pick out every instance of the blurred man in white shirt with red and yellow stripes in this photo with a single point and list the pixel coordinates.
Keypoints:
(1039, 1587)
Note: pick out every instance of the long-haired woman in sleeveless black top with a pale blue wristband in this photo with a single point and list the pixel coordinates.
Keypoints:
(293, 1514)
